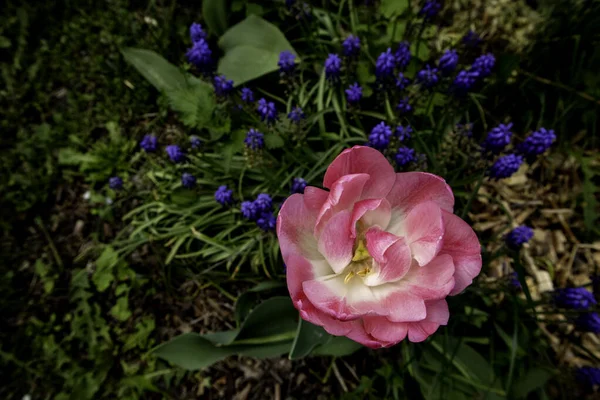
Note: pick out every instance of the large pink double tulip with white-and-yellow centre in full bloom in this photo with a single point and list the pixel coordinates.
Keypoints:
(374, 257)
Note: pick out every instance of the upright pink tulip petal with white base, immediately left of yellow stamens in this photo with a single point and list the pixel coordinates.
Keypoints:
(336, 242)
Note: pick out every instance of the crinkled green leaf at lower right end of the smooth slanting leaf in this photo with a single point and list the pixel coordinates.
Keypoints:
(195, 103)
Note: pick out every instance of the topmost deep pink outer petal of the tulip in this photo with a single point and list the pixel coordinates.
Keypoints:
(362, 159)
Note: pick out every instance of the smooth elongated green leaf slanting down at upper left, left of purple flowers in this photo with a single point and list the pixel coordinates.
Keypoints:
(158, 71)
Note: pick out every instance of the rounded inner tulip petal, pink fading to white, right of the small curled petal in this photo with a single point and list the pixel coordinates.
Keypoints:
(424, 230)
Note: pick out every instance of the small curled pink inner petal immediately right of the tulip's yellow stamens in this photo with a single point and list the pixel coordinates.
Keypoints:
(391, 254)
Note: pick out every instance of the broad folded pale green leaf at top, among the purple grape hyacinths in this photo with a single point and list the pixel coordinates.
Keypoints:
(251, 50)
